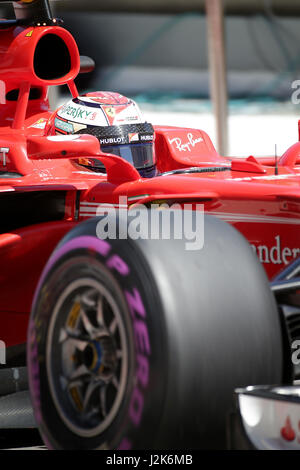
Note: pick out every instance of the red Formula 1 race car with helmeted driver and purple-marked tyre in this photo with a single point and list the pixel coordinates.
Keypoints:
(134, 339)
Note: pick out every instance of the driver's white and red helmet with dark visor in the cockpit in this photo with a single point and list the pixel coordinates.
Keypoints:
(117, 123)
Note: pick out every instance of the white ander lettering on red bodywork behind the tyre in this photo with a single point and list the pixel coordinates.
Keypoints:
(277, 253)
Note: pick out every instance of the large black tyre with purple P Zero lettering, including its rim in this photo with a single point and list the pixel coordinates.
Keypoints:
(139, 344)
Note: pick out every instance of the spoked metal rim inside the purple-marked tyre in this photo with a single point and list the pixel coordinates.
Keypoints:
(87, 357)
